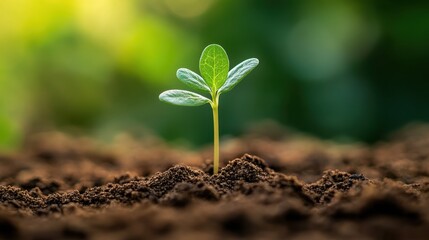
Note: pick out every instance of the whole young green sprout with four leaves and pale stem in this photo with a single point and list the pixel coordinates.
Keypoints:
(216, 79)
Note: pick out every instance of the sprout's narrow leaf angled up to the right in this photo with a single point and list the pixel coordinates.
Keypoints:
(238, 73)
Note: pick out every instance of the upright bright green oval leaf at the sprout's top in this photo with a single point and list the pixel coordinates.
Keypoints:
(214, 66)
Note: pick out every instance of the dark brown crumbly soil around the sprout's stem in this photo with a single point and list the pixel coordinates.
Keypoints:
(273, 185)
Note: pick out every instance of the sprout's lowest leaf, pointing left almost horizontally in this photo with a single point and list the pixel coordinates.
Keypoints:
(183, 98)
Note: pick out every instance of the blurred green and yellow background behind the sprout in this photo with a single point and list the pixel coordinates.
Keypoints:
(348, 70)
